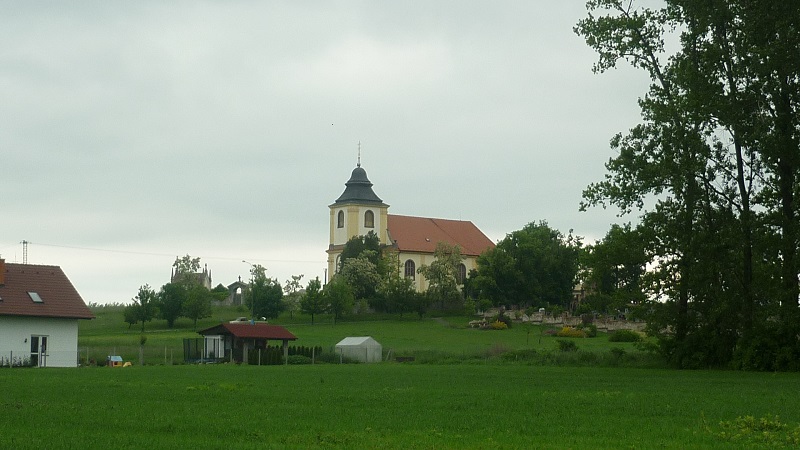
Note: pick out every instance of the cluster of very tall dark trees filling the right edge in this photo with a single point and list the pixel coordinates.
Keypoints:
(717, 155)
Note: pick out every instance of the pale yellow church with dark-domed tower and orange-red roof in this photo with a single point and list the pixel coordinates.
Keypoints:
(359, 210)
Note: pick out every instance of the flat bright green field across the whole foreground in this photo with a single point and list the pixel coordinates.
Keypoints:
(394, 405)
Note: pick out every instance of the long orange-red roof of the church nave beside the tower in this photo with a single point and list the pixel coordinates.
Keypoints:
(421, 234)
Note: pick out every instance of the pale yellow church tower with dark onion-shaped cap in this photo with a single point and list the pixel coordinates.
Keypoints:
(355, 213)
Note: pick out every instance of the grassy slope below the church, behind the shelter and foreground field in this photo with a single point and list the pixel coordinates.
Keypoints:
(403, 336)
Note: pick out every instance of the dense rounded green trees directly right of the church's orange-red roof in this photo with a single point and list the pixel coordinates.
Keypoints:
(532, 266)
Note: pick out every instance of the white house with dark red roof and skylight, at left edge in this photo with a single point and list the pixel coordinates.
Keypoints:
(39, 313)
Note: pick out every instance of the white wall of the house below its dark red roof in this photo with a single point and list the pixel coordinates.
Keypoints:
(17, 334)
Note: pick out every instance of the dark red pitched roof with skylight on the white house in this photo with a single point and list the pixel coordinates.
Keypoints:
(58, 297)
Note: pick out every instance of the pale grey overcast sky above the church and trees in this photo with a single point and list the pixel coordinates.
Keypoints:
(135, 132)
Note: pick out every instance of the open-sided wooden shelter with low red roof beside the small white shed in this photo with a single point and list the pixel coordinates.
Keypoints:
(233, 341)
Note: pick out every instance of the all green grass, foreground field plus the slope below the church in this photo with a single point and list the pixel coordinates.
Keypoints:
(466, 388)
